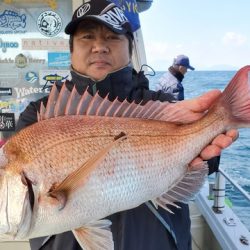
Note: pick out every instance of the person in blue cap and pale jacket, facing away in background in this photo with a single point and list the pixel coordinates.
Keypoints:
(170, 82)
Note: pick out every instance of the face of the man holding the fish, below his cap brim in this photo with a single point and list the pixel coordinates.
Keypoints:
(98, 51)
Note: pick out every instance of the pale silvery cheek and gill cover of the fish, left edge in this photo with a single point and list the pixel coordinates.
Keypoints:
(15, 206)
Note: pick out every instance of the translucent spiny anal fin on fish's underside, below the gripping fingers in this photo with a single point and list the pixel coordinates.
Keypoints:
(185, 189)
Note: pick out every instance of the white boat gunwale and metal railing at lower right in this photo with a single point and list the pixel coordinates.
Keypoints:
(227, 227)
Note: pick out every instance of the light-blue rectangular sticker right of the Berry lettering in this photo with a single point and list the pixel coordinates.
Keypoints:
(59, 59)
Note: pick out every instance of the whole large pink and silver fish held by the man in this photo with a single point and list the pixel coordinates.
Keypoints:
(88, 159)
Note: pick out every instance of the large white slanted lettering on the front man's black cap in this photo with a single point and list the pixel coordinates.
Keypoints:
(114, 17)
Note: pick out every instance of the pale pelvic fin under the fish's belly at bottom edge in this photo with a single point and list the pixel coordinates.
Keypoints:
(95, 236)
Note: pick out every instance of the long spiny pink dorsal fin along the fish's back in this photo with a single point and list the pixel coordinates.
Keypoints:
(66, 102)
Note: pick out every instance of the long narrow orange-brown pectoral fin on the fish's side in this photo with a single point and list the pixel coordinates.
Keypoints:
(76, 179)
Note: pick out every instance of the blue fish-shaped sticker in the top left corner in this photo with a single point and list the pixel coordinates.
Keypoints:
(12, 20)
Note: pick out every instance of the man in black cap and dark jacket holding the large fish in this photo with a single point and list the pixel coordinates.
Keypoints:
(101, 53)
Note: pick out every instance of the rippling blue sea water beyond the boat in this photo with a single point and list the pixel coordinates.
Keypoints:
(235, 160)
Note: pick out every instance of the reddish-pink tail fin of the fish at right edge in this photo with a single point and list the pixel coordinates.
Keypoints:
(236, 98)
